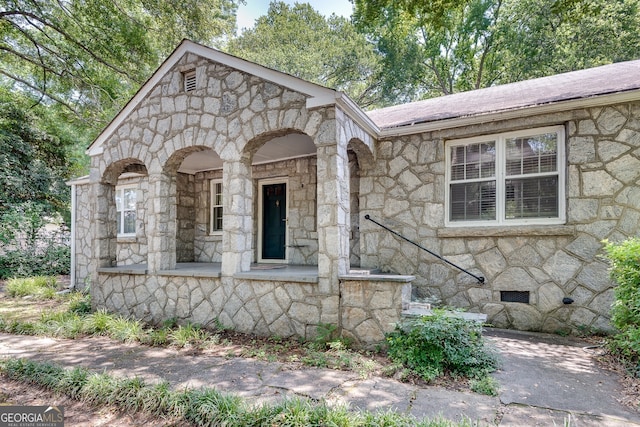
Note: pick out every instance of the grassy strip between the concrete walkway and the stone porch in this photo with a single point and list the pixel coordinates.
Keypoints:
(70, 316)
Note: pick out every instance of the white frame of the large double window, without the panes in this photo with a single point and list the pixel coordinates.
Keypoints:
(500, 178)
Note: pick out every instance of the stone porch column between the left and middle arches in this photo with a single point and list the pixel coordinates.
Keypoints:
(161, 222)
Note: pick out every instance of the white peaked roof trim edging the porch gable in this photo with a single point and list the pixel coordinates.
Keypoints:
(317, 96)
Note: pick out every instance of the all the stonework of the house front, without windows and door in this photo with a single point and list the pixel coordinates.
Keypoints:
(398, 180)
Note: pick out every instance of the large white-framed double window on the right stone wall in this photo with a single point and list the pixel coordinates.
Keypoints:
(507, 179)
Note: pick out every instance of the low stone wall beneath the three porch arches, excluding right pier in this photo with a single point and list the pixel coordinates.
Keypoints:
(266, 308)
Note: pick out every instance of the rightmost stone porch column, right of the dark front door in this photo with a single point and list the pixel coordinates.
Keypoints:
(333, 208)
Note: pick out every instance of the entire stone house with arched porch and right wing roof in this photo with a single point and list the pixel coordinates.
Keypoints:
(228, 191)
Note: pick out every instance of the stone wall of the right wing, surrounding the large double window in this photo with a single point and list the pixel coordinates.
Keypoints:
(405, 189)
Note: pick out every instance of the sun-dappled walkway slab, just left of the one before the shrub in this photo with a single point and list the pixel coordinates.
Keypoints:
(375, 394)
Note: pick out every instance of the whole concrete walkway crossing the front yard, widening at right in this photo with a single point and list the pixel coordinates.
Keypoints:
(545, 380)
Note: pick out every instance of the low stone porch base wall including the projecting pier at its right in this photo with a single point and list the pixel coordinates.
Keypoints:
(367, 311)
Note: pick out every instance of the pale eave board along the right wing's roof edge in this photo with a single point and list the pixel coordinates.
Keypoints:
(554, 107)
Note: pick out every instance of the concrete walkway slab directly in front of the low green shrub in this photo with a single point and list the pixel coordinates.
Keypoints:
(433, 402)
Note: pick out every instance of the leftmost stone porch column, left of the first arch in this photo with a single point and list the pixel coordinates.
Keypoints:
(104, 247)
